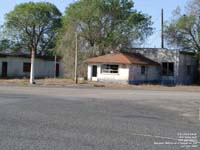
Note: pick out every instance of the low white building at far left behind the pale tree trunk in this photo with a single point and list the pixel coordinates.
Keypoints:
(18, 66)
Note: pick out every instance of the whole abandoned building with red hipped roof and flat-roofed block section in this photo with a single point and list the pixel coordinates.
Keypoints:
(137, 66)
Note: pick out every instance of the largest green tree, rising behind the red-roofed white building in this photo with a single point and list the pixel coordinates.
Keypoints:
(102, 25)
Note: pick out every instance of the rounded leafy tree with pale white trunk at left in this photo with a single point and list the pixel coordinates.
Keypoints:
(34, 26)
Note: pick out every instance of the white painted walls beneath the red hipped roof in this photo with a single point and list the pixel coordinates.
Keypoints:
(126, 73)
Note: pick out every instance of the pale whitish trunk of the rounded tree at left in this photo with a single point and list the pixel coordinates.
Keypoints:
(32, 73)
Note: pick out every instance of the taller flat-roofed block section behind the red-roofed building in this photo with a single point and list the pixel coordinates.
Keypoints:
(177, 67)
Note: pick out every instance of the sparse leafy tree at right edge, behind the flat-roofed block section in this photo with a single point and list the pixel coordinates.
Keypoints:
(183, 31)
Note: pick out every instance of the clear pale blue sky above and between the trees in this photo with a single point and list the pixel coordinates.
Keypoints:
(151, 7)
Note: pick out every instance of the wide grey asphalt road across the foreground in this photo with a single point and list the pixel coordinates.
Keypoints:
(36, 118)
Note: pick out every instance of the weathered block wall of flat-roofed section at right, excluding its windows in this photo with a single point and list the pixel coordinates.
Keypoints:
(180, 60)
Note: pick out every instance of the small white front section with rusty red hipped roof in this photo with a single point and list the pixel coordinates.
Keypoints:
(123, 68)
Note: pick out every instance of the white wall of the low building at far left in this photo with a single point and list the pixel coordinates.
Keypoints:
(43, 68)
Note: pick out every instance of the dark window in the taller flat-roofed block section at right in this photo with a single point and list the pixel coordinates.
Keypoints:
(168, 69)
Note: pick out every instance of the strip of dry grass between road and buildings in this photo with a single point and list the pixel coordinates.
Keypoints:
(63, 82)
